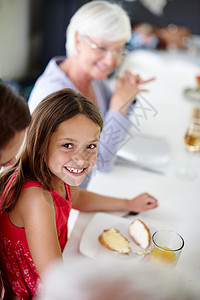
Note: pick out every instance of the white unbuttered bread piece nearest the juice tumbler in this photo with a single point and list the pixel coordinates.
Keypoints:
(140, 234)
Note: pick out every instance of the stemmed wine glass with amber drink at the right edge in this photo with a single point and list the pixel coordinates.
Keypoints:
(192, 145)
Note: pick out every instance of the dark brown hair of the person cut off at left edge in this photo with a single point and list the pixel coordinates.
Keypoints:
(14, 113)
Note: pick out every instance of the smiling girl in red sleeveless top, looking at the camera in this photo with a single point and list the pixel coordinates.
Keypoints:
(60, 149)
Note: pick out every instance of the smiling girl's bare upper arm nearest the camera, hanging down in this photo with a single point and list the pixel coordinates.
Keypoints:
(37, 213)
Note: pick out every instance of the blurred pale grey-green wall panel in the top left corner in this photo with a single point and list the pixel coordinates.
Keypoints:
(14, 37)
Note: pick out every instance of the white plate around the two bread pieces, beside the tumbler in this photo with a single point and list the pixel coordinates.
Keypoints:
(90, 245)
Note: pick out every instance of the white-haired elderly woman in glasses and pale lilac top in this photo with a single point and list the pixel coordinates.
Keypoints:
(95, 41)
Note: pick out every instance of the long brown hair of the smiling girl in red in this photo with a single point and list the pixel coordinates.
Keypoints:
(52, 111)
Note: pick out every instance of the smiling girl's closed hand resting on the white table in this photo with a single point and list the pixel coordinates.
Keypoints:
(141, 203)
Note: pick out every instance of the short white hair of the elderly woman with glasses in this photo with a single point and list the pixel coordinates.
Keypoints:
(100, 19)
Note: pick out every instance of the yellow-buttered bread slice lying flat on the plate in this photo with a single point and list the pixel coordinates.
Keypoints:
(115, 241)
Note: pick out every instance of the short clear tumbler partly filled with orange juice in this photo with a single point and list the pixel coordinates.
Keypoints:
(166, 247)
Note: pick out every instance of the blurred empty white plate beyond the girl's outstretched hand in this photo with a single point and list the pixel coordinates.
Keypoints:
(146, 150)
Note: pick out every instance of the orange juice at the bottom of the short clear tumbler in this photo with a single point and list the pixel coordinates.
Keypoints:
(166, 257)
